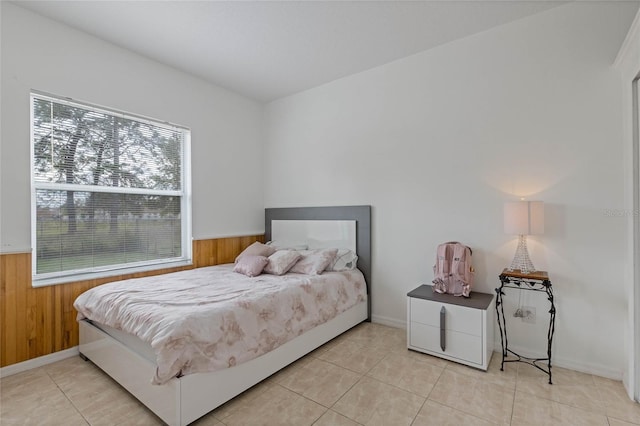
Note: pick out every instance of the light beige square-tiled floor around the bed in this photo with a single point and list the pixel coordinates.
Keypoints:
(366, 376)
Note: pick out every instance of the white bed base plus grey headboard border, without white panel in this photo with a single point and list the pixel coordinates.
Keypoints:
(185, 399)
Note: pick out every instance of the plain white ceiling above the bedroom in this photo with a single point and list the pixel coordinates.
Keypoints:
(267, 50)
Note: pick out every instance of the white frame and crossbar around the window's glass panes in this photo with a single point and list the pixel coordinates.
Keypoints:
(40, 280)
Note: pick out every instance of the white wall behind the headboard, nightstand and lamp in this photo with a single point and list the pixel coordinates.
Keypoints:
(436, 142)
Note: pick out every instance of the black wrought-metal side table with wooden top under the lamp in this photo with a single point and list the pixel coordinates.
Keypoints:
(534, 281)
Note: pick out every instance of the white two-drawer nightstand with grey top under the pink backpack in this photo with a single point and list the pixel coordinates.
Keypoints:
(456, 328)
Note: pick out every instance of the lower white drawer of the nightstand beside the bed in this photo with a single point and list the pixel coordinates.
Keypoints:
(462, 346)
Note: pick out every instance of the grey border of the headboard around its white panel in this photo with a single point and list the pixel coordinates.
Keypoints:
(360, 214)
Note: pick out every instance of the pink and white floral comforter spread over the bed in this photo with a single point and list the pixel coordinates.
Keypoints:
(212, 318)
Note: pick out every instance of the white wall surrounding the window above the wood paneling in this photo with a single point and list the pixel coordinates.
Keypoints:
(38, 53)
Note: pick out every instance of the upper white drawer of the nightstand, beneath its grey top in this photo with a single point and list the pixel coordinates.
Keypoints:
(458, 318)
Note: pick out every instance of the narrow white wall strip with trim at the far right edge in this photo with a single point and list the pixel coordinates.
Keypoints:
(628, 62)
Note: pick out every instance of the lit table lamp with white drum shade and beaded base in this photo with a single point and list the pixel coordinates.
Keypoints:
(523, 218)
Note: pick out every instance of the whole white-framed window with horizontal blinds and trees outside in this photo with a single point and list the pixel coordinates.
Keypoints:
(110, 191)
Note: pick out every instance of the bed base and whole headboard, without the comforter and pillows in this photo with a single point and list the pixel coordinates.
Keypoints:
(181, 400)
